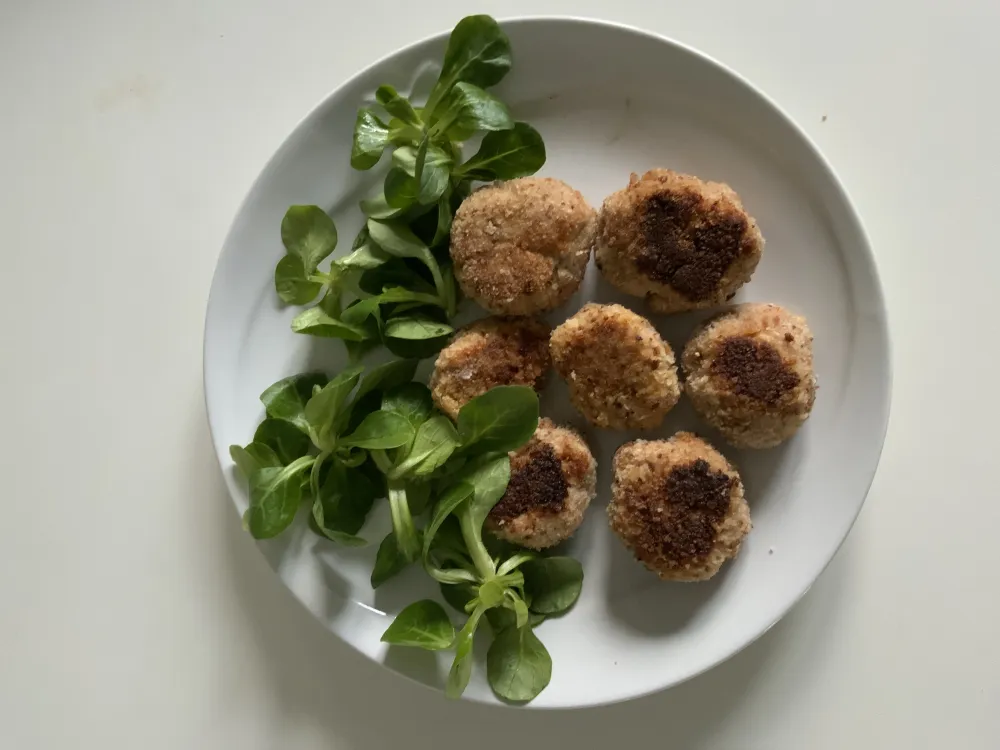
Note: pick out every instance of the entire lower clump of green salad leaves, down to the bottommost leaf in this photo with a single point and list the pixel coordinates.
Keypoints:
(336, 445)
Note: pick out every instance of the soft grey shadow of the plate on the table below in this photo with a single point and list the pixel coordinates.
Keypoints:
(323, 688)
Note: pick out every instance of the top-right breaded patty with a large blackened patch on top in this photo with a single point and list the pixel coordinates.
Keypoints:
(680, 242)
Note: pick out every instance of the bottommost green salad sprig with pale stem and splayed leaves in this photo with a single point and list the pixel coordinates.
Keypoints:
(514, 590)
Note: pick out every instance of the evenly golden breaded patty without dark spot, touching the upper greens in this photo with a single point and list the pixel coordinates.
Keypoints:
(522, 247)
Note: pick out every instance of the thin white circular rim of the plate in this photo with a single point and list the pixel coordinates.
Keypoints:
(885, 374)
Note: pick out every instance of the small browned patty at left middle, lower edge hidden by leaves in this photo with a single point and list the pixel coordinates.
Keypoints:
(488, 353)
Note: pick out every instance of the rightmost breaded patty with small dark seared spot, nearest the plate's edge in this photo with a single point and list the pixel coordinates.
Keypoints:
(749, 373)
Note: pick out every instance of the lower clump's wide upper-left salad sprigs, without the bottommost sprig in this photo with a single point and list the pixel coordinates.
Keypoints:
(338, 444)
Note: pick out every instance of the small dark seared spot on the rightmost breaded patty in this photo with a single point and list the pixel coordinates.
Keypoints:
(754, 369)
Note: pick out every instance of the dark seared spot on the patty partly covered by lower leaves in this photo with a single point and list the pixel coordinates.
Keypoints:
(536, 483)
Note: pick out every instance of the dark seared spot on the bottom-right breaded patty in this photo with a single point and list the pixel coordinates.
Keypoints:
(680, 517)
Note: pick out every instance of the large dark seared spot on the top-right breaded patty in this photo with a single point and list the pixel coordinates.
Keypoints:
(691, 259)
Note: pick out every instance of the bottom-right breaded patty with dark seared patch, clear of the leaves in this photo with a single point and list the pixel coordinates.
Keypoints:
(678, 505)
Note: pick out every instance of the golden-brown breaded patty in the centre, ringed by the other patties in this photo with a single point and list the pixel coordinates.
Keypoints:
(621, 373)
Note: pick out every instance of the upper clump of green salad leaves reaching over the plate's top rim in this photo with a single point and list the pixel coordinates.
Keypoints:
(398, 270)
